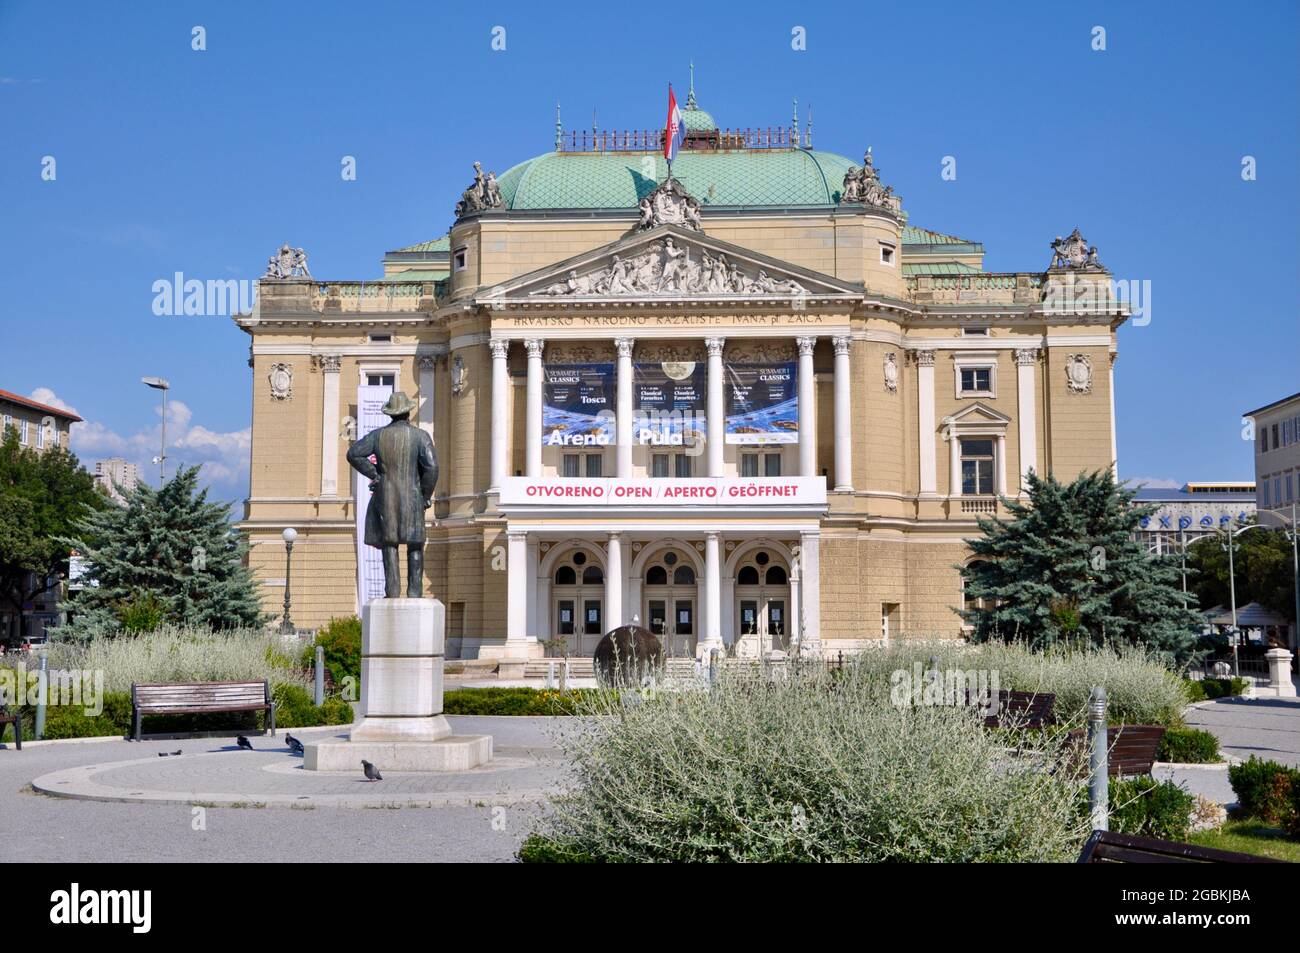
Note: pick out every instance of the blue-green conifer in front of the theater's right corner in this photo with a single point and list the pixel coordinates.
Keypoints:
(1067, 568)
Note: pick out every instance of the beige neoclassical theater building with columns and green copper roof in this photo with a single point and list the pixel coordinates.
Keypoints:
(749, 406)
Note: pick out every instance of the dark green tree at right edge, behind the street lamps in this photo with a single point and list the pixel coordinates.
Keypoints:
(1264, 569)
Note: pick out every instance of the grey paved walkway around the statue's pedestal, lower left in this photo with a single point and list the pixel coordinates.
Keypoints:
(482, 816)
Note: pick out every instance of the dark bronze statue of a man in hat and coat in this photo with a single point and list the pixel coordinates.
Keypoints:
(402, 480)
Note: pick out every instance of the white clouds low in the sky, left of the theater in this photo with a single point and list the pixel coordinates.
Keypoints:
(224, 457)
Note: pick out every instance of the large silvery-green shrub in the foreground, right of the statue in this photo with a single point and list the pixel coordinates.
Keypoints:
(816, 766)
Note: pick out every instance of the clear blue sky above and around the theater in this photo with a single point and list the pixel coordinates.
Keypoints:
(203, 163)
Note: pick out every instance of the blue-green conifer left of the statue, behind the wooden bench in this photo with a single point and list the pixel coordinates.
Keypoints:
(168, 556)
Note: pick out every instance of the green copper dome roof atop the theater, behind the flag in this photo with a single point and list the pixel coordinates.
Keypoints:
(621, 180)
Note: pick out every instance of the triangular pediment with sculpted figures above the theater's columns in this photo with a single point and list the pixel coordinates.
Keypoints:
(670, 263)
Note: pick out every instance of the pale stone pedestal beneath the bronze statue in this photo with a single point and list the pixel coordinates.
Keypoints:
(402, 726)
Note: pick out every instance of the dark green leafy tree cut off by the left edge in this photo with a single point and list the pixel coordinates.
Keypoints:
(44, 496)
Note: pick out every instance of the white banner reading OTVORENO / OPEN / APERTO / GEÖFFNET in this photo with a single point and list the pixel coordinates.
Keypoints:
(697, 492)
